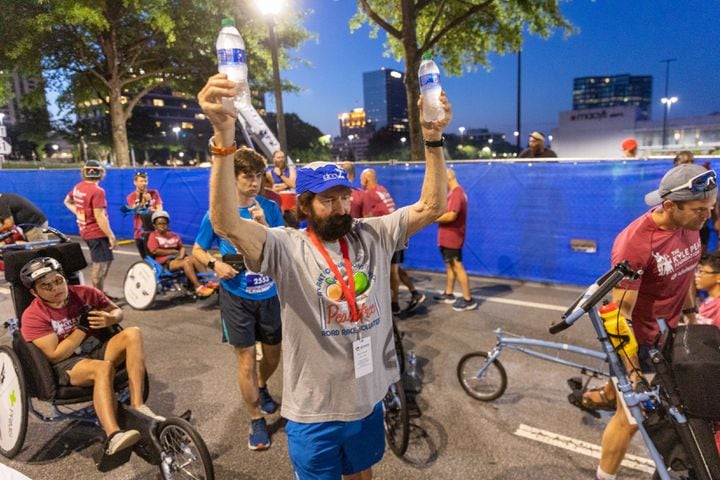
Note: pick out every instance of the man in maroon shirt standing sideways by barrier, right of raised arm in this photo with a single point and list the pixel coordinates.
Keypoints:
(451, 237)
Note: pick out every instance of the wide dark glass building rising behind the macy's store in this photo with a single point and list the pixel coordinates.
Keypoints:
(614, 91)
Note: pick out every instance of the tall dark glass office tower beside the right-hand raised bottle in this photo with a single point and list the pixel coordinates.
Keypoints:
(385, 99)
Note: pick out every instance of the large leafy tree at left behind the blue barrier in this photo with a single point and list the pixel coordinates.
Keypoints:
(116, 51)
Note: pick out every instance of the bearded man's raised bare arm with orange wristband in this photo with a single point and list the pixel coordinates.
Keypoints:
(246, 235)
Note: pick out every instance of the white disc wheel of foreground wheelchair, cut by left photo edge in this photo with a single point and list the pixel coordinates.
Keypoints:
(13, 404)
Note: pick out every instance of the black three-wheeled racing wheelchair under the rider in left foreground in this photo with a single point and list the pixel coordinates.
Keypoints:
(26, 375)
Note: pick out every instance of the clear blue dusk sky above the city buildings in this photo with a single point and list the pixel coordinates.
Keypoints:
(614, 37)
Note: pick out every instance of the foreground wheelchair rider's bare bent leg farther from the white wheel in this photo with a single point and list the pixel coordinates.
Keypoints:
(128, 346)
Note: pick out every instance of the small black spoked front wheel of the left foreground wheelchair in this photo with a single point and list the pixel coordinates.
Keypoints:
(183, 453)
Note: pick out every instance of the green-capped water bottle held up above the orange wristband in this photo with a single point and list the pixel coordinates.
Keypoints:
(232, 61)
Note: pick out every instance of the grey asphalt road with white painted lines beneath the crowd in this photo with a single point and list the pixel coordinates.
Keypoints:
(531, 432)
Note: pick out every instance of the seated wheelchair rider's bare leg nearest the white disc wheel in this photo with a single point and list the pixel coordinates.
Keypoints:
(99, 374)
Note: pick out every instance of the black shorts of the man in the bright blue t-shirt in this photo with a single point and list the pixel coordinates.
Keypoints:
(246, 321)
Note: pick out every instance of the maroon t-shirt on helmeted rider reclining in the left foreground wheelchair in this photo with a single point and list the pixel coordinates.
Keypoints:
(39, 319)
